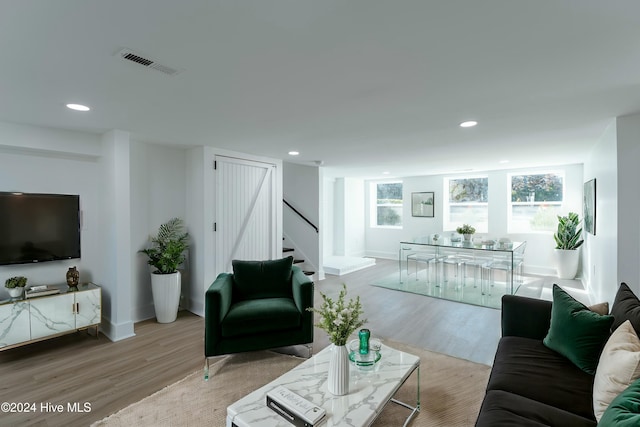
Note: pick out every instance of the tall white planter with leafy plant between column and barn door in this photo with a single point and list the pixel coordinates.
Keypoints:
(166, 253)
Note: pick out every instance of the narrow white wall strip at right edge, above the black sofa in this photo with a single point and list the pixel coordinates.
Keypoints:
(628, 154)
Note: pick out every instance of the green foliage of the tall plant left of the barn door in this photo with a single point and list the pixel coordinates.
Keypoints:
(167, 248)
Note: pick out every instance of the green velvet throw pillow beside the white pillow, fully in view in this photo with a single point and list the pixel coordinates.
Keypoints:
(576, 332)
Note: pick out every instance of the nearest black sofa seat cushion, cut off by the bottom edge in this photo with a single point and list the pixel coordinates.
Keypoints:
(501, 408)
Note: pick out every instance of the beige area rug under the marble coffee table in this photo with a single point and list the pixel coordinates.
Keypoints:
(451, 391)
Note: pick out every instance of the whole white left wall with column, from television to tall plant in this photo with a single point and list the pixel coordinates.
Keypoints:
(124, 197)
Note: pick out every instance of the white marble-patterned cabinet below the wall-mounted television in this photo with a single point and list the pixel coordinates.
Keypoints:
(27, 320)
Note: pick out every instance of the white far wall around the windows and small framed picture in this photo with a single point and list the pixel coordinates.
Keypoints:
(384, 242)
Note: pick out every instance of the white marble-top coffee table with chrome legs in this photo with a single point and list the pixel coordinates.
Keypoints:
(369, 392)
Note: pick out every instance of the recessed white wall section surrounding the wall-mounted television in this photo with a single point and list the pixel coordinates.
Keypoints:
(33, 170)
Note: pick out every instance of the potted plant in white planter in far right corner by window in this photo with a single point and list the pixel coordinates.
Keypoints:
(568, 241)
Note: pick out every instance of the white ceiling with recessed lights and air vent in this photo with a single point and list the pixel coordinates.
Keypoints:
(365, 86)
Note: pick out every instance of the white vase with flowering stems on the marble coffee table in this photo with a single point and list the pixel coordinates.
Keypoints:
(339, 319)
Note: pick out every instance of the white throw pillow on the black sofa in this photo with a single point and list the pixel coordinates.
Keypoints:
(618, 367)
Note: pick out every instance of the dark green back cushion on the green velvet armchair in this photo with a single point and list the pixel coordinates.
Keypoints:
(262, 279)
